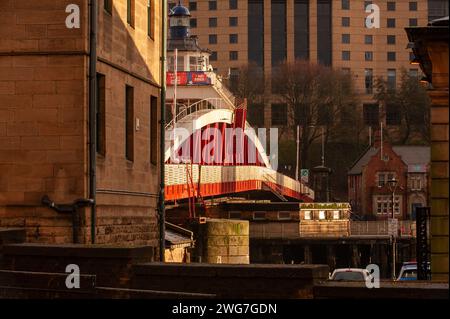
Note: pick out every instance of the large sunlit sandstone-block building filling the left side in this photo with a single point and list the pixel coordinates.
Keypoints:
(53, 140)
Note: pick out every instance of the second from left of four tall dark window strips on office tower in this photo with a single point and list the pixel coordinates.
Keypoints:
(279, 43)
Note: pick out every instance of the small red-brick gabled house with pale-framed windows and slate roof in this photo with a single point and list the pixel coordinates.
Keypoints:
(369, 191)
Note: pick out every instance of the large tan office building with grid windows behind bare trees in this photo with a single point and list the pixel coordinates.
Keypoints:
(332, 32)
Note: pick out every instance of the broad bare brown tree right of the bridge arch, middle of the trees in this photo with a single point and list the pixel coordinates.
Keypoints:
(320, 99)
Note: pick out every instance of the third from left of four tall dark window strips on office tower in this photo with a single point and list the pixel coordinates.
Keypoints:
(301, 29)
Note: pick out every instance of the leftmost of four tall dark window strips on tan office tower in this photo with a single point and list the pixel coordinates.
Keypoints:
(256, 31)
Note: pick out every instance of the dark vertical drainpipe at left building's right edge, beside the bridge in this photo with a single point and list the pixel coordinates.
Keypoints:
(161, 207)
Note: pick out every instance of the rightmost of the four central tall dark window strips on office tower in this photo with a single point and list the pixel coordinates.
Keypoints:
(324, 32)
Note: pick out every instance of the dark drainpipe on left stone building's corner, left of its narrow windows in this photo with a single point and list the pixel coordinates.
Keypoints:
(92, 112)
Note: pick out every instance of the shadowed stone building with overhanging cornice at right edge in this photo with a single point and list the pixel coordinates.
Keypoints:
(430, 44)
